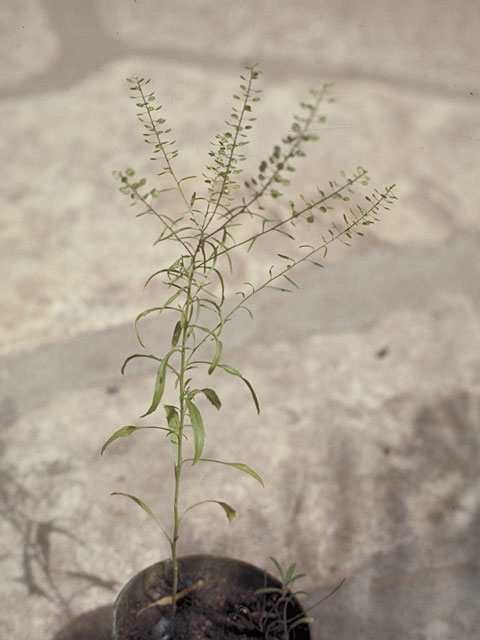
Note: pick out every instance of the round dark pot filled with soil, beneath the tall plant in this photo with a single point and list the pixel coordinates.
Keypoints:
(221, 605)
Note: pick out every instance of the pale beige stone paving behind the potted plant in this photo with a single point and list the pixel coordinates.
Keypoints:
(369, 377)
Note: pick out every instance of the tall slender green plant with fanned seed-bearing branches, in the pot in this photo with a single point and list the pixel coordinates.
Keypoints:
(212, 228)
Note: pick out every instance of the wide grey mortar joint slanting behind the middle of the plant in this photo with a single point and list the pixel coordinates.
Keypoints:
(92, 359)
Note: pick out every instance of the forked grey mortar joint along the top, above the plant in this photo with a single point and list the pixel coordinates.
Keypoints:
(76, 61)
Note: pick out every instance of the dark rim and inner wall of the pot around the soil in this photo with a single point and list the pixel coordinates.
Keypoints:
(214, 571)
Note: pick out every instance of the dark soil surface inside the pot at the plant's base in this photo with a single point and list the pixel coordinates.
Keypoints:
(215, 611)
